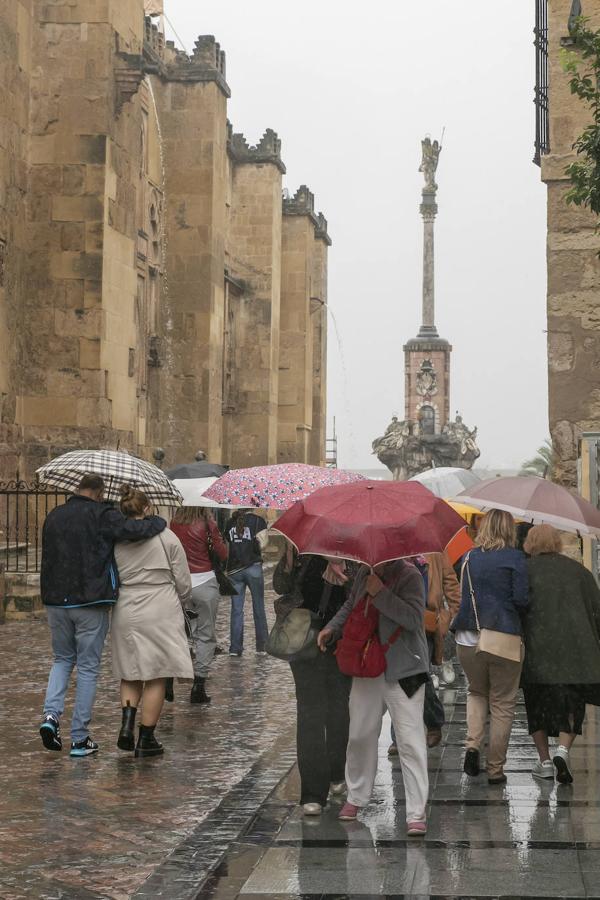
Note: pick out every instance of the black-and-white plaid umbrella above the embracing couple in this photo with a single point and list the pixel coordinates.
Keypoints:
(116, 468)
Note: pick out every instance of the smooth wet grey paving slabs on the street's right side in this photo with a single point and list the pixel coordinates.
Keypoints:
(526, 839)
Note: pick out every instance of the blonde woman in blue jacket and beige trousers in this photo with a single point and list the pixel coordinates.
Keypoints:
(496, 572)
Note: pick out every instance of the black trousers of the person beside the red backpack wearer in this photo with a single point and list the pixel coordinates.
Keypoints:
(322, 694)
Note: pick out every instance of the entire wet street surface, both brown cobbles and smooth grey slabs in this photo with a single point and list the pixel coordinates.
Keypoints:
(223, 801)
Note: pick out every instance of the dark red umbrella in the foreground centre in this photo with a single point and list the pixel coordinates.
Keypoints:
(371, 522)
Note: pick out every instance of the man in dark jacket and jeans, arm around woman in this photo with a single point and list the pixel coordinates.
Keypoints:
(79, 584)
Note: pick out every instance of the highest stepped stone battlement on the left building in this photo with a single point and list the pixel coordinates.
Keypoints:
(206, 63)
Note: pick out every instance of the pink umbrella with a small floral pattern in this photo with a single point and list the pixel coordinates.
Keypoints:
(275, 487)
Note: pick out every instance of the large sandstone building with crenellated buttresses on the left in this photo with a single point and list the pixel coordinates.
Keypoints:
(155, 288)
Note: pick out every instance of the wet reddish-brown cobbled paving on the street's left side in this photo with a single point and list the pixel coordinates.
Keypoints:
(98, 827)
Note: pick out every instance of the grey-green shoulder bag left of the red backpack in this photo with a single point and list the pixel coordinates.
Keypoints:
(295, 632)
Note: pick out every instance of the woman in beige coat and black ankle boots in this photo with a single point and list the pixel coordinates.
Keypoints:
(148, 629)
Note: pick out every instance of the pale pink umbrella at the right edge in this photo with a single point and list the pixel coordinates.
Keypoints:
(536, 500)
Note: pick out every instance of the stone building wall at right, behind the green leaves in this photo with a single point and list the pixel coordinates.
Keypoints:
(573, 301)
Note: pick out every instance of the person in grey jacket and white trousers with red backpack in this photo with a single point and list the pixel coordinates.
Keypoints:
(383, 645)
